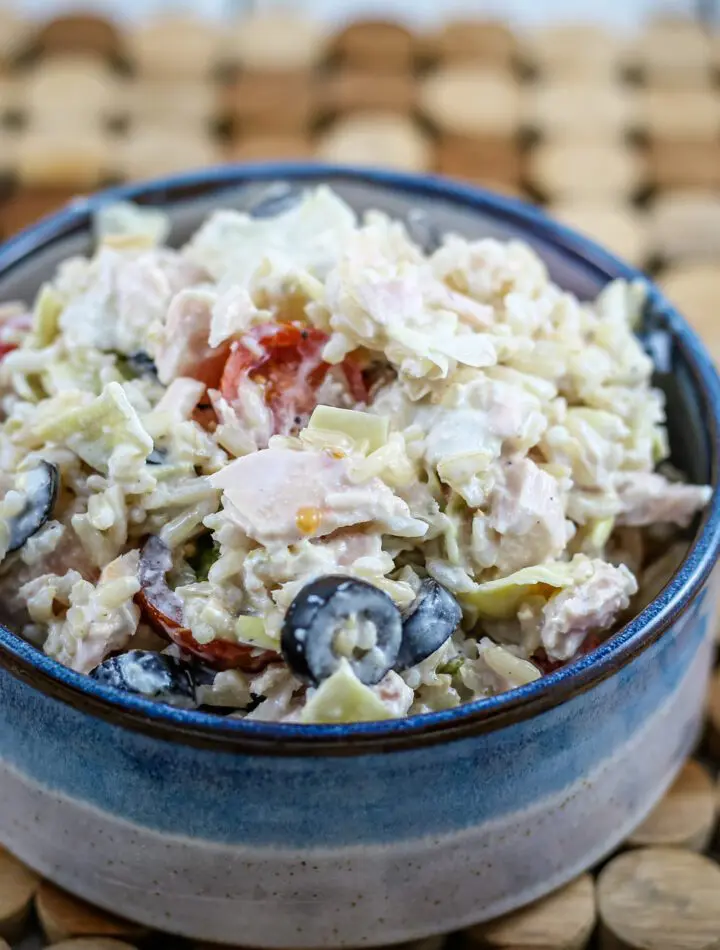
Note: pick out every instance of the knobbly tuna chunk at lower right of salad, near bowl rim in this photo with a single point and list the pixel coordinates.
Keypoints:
(592, 604)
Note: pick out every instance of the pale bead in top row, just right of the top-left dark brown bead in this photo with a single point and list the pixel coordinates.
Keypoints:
(175, 45)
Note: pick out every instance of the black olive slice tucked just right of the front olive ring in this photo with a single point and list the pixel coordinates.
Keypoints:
(432, 617)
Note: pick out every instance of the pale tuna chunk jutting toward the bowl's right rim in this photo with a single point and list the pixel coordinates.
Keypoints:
(648, 498)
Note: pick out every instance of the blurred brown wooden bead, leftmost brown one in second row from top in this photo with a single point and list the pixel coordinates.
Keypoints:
(271, 102)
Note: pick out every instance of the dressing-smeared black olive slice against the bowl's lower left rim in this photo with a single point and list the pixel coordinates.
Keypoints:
(157, 676)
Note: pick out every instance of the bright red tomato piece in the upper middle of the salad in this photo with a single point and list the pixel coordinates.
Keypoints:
(286, 358)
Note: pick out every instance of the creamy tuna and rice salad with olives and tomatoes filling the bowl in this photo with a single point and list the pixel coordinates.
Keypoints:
(309, 468)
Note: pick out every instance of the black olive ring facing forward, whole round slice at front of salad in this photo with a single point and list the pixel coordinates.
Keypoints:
(341, 617)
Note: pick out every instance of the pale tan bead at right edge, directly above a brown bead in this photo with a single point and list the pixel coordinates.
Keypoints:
(679, 115)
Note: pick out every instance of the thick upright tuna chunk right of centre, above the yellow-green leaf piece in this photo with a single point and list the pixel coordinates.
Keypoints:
(526, 522)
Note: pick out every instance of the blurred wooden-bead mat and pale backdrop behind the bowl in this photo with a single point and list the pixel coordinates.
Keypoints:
(606, 113)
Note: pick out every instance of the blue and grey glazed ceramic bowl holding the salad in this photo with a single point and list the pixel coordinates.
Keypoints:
(325, 836)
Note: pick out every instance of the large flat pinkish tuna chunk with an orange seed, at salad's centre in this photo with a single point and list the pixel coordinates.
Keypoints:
(279, 496)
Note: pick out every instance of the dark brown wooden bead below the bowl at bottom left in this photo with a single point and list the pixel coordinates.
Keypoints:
(63, 916)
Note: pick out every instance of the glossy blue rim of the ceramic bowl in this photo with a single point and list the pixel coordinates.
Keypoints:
(206, 730)
